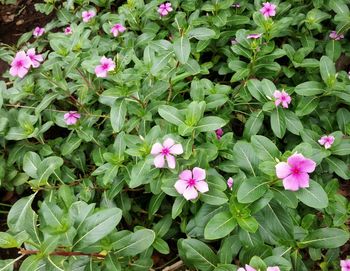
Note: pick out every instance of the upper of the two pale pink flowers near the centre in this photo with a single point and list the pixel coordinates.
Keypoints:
(167, 150)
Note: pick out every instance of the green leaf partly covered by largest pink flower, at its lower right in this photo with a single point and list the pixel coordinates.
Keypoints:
(314, 196)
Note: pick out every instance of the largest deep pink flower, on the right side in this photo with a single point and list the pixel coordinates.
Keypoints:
(295, 172)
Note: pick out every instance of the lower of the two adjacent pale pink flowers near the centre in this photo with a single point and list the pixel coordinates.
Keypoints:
(190, 182)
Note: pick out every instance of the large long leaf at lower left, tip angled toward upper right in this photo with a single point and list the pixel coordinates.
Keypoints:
(97, 226)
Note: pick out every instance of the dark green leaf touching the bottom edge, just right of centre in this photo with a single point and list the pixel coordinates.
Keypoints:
(200, 255)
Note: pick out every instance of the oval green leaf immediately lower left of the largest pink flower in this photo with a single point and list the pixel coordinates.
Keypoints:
(251, 189)
